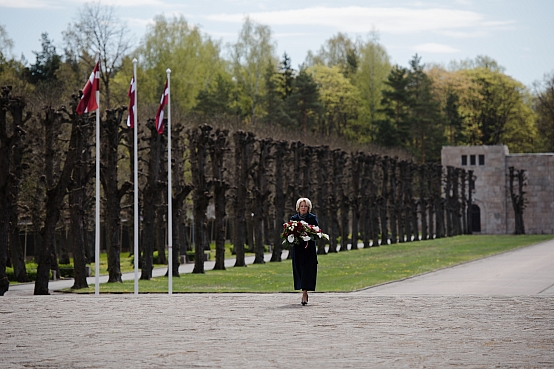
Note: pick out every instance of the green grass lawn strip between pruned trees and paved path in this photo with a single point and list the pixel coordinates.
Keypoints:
(344, 271)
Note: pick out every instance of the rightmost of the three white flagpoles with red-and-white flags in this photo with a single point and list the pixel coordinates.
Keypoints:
(169, 195)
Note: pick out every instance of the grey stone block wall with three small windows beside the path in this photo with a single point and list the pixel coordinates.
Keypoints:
(490, 165)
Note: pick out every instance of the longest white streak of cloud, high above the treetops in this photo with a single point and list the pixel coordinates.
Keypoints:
(362, 19)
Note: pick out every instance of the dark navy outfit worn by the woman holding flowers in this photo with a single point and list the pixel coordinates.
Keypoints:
(304, 259)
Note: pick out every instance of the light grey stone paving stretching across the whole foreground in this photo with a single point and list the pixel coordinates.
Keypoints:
(352, 330)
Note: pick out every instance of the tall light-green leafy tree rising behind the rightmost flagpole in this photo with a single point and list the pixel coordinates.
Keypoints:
(178, 45)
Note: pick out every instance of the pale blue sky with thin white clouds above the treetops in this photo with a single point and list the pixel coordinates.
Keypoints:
(517, 34)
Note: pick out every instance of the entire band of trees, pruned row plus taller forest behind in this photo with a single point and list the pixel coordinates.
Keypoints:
(345, 95)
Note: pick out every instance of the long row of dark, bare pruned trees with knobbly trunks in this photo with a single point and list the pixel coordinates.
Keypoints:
(230, 189)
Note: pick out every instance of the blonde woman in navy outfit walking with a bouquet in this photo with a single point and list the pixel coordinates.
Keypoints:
(304, 254)
